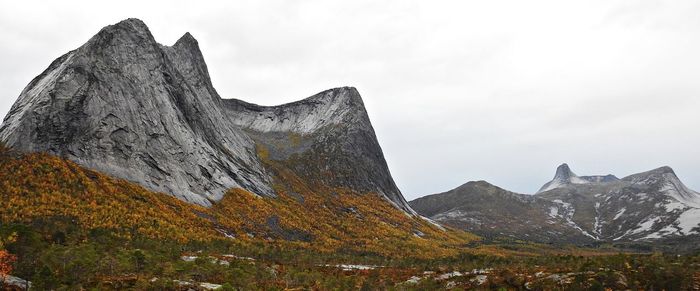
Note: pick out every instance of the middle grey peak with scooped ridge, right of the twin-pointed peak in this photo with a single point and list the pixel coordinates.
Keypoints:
(326, 138)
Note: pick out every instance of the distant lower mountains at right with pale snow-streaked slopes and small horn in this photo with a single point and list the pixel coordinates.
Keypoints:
(650, 206)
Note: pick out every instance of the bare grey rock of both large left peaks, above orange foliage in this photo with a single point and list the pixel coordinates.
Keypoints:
(130, 107)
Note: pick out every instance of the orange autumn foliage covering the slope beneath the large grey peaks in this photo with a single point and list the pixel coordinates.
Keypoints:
(39, 186)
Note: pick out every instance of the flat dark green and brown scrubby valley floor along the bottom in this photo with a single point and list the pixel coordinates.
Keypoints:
(108, 263)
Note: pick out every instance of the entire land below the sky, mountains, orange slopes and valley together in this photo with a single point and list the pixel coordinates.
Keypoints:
(122, 168)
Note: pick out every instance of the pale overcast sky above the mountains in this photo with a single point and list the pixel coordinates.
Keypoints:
(502, 91)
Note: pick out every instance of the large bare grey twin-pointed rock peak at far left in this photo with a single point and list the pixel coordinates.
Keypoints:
(127, 106)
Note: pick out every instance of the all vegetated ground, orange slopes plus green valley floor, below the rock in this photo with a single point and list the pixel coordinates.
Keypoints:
(64, 227)
